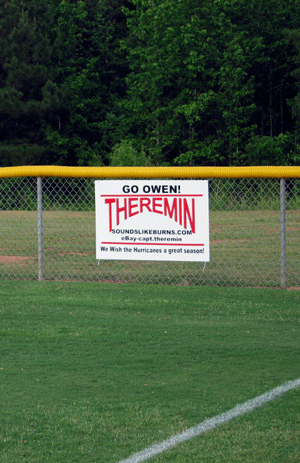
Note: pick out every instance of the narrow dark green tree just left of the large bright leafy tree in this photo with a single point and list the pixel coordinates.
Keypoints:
(77, 132)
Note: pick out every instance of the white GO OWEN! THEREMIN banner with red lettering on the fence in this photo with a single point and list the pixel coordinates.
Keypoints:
(152, 220)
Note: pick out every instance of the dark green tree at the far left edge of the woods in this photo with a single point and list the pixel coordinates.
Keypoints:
(25, 55)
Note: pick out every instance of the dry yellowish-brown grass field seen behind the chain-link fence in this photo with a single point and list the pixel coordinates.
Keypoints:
(245, 251)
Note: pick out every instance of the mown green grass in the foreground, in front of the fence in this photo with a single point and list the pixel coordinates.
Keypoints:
(94, 372)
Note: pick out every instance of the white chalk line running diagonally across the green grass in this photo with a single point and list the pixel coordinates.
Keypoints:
(211, 423)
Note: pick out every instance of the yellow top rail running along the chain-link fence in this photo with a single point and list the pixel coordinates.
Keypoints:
(152, 172)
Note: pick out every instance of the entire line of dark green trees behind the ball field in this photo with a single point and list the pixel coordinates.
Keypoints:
(149, 82)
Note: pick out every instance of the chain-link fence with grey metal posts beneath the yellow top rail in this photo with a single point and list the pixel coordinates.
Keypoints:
(254, 235)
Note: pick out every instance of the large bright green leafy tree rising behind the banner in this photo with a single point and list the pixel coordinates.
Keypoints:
(189, 96)
